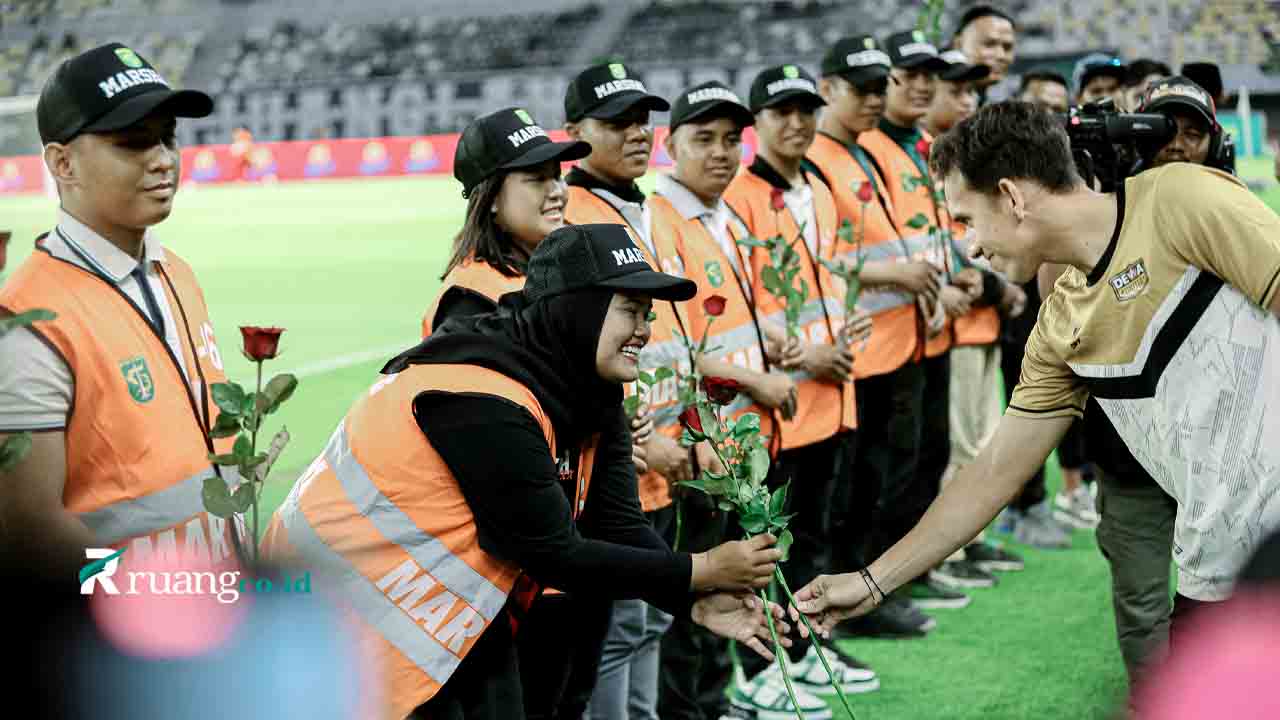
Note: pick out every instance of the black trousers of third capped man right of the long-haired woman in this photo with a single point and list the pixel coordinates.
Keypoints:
(817, 500)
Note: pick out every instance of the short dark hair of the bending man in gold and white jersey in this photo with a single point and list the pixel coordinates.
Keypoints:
(1008, 140)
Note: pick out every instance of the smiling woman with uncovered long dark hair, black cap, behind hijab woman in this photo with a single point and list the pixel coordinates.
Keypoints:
(502, 156)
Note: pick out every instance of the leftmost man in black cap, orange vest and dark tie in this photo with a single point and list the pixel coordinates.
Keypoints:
(117, 388)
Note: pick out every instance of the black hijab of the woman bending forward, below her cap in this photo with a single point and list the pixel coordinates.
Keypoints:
(548, 347)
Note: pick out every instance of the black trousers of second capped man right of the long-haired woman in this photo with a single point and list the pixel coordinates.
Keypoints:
(696, 663)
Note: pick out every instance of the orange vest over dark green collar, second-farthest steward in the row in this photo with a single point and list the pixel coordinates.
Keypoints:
(912, 199)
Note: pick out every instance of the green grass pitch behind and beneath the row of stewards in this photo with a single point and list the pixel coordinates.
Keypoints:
(349, 270)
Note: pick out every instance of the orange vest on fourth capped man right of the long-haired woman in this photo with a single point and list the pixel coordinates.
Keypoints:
(895, 331)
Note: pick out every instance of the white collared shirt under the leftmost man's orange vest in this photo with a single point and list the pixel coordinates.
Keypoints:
(36, 386)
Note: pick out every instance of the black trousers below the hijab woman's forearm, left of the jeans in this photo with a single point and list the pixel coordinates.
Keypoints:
(559, 668)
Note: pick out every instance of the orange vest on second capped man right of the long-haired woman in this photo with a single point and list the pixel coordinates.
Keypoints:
(737, 332)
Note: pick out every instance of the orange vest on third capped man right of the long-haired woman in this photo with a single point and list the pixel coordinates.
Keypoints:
(824, 409)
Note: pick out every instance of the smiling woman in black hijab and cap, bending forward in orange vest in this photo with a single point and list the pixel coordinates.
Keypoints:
(474, 473)
